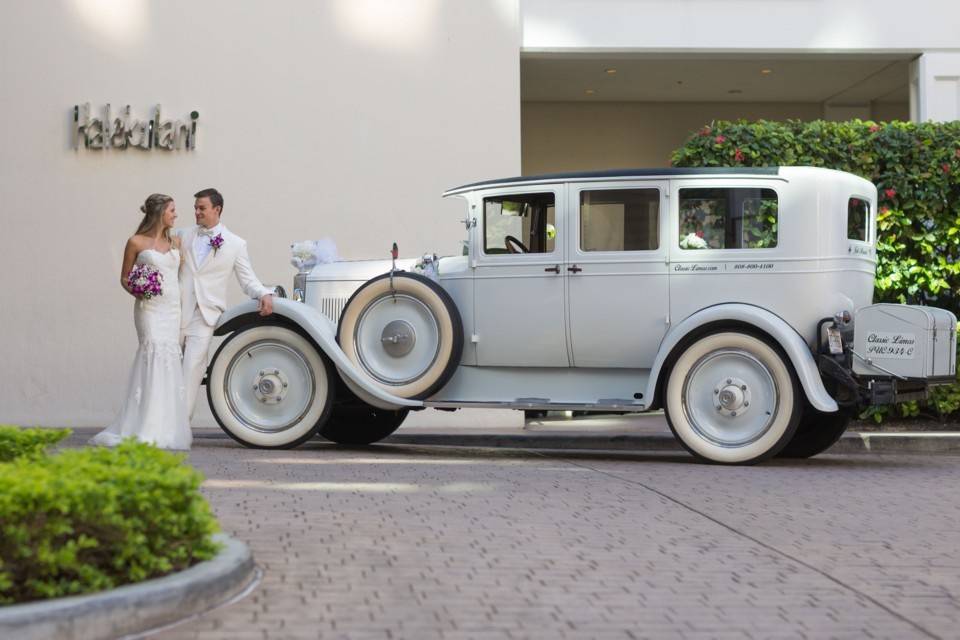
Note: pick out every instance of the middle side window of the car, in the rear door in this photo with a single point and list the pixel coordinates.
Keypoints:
(619, 220)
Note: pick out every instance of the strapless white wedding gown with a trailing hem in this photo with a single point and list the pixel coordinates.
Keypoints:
(155, 409)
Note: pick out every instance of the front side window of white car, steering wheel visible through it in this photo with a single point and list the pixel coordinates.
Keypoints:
(519, 223)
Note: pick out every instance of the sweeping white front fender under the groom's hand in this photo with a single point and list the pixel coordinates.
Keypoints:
(324, 334)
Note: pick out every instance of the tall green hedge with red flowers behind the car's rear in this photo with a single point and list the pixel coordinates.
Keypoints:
(916, 168)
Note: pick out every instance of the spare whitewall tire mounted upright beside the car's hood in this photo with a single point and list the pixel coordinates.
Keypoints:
(405, 333)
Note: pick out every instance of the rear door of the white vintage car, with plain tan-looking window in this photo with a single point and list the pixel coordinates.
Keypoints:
(618, 291)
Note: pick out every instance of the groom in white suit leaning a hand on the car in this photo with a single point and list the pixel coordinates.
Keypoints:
(211, 253)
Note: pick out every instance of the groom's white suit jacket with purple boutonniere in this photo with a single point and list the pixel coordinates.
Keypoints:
(205, 284)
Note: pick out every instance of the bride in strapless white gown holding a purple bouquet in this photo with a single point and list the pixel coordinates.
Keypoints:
(155, 409)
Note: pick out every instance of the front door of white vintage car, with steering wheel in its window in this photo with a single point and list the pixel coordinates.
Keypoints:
(519, 279)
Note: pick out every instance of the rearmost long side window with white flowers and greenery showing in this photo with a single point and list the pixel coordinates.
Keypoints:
(728, 218)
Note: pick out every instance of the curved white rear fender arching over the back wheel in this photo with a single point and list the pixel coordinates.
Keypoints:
(773, 325)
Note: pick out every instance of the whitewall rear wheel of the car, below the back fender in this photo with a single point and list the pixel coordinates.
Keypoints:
(733, 398)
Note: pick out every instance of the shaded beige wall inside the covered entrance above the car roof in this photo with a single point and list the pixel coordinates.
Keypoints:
(571, 136)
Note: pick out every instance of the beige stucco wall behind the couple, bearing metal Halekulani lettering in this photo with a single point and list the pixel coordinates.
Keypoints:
(342, 118)
